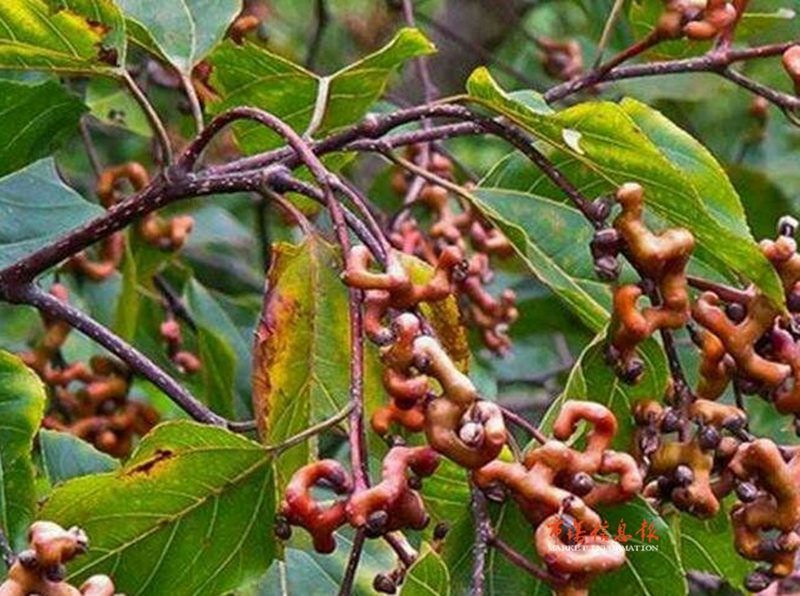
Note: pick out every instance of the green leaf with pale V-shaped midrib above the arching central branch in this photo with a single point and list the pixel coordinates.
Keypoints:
(251, 76)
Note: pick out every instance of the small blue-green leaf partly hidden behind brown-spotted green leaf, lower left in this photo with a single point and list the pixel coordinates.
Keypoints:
(65, 456)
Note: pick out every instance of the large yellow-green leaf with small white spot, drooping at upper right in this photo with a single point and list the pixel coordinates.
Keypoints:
(605, 139)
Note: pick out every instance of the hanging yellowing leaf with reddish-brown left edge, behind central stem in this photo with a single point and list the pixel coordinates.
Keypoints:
(301, 356)
